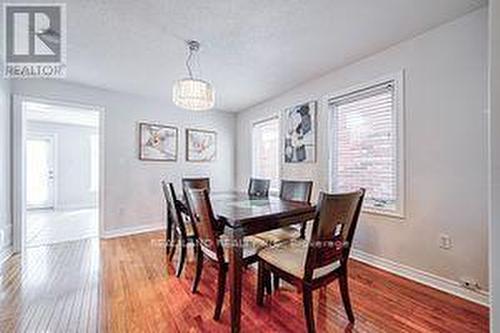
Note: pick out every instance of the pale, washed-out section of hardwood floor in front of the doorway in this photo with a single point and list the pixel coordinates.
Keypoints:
(51, 289)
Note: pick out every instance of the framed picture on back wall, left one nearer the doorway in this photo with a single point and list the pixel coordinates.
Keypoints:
(158, 142)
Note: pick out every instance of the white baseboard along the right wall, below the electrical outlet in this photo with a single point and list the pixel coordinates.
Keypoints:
(428, 279)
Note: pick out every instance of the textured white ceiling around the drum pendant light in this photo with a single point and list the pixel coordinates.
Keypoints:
(251, 50)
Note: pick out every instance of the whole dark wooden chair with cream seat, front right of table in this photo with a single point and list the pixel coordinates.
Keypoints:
(312, 264)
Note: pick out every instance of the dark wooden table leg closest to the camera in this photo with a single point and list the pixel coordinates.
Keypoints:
(235, 268)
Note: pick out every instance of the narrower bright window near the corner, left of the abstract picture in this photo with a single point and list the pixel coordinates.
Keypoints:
(265, 157)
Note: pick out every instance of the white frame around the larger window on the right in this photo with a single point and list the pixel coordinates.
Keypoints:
(398, 79)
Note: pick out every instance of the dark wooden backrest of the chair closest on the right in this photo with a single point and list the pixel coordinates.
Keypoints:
(333, 230)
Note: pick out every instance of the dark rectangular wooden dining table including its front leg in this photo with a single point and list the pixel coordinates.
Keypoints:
(245, 215)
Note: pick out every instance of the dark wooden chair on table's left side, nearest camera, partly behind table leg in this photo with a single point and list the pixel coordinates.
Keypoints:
(213, 245)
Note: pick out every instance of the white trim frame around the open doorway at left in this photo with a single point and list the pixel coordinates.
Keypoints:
(19, 135)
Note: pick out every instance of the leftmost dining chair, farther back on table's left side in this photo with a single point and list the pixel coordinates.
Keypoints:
(177, 224)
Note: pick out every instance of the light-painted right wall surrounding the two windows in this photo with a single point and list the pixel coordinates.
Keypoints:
(446, 148)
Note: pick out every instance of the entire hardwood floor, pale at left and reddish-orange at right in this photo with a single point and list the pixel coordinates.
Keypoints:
(56, 288)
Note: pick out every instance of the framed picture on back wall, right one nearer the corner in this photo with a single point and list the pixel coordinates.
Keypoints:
(201, 145)
